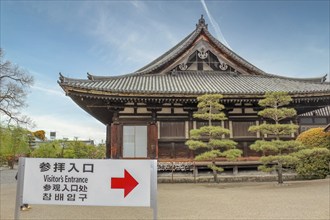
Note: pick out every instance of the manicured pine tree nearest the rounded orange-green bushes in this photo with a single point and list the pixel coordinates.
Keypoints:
(276, 152)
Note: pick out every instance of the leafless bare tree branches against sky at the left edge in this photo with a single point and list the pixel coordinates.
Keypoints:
(14, 85)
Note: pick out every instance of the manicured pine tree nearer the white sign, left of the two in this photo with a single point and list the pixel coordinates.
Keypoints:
(210, 137)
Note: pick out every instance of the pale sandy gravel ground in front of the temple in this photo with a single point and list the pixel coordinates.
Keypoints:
(292, 200)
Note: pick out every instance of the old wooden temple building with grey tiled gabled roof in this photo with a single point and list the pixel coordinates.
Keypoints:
(148, 113)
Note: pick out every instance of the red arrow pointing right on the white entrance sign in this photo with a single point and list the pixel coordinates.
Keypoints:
(128, 183)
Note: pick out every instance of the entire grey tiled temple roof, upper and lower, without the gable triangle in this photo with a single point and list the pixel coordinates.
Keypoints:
(157, 78)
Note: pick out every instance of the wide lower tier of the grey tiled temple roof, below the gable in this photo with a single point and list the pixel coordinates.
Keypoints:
(196, 82)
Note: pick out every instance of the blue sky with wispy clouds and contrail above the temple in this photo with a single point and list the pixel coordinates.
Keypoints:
(287, 38)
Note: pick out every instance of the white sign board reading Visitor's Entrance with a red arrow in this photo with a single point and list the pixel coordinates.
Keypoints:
(87, 182)
